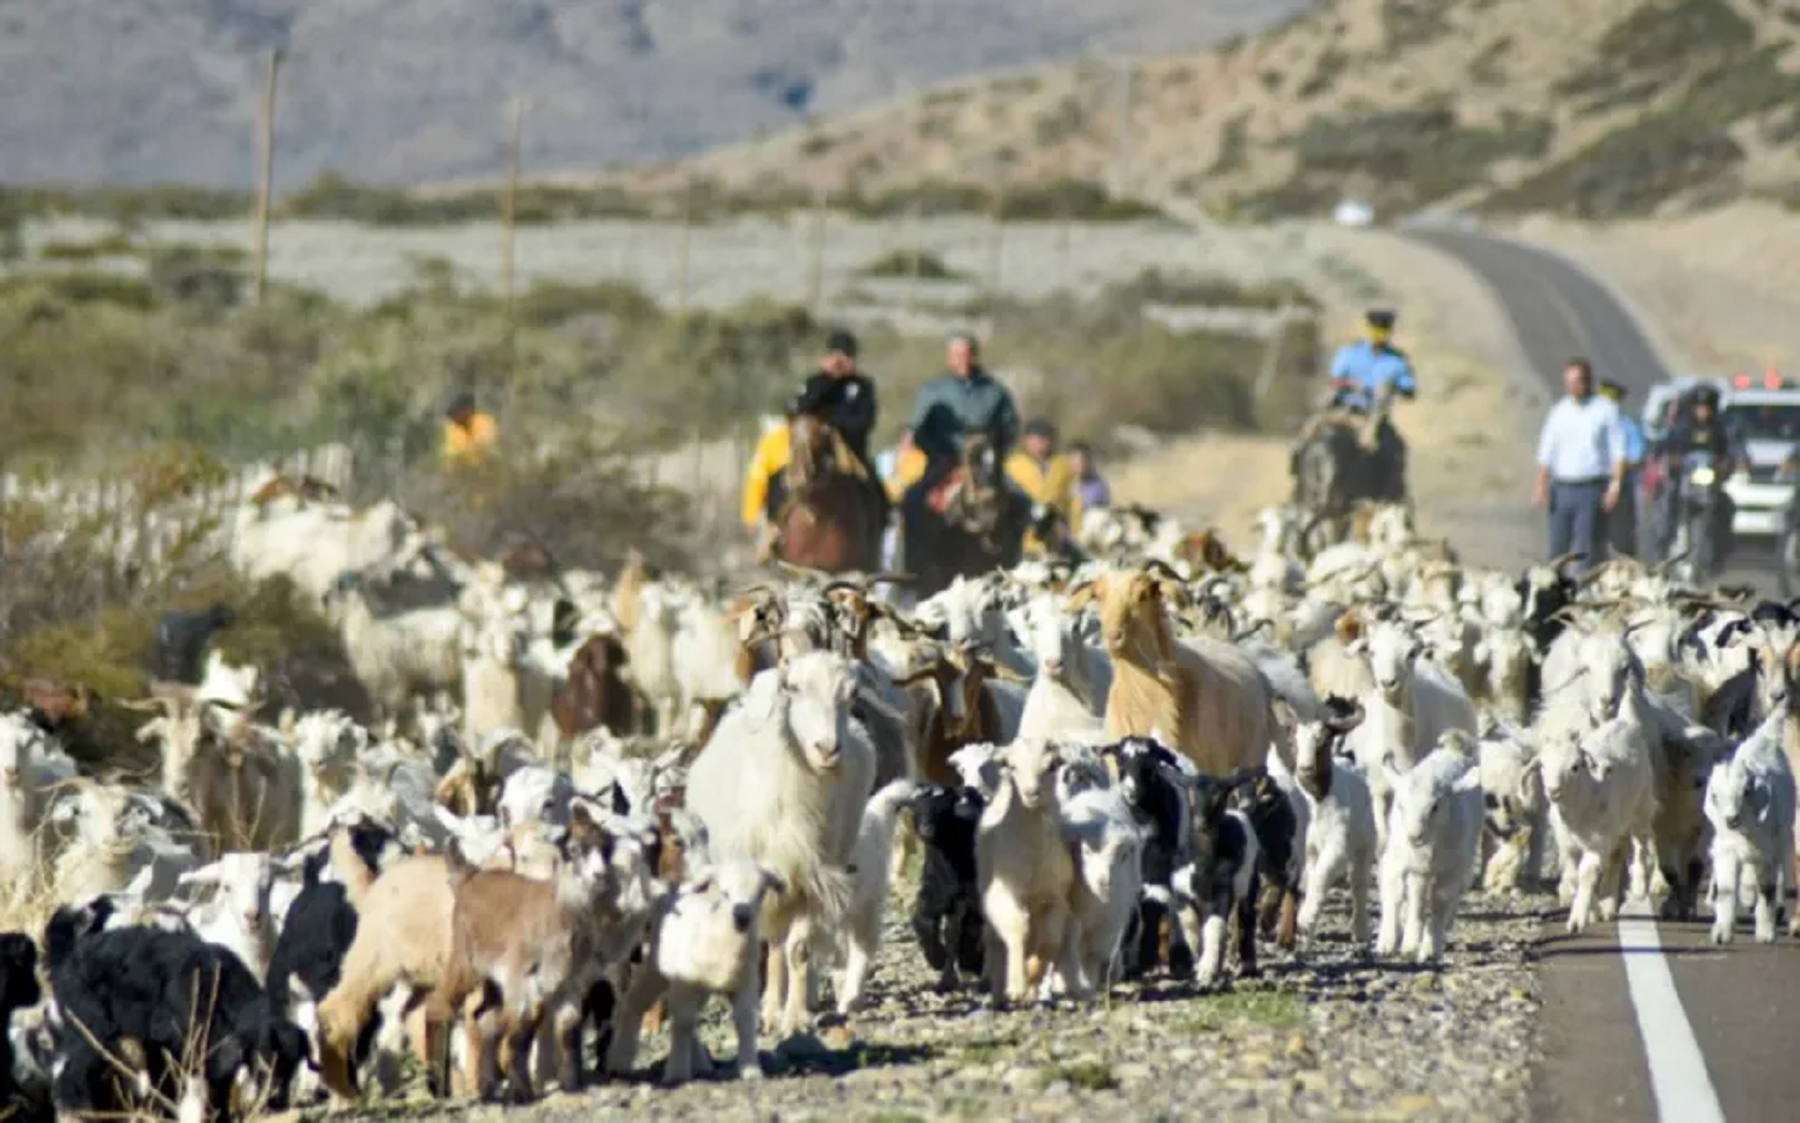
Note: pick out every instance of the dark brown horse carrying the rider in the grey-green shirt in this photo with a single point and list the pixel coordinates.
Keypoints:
(980, 528)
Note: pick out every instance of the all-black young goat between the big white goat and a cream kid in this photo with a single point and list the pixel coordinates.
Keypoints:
(948, 913)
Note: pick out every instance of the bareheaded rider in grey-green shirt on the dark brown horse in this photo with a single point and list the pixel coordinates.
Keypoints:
(964, 400)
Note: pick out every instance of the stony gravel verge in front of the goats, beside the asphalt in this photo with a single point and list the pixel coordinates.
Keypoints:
(1329, 1036)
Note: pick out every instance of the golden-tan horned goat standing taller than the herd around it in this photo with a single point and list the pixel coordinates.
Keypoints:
(1203, 697)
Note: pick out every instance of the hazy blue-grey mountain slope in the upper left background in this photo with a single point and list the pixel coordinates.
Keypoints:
(408, 91)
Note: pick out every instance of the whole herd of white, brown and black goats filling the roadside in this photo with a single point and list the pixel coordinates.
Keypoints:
(586, 805)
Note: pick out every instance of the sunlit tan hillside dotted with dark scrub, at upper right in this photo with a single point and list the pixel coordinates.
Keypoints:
(1603, 109)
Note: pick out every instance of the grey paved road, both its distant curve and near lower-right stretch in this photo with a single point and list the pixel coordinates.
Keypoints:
(1641, 1020)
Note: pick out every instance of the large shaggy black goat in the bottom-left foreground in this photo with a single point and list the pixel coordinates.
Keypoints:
(174, 994)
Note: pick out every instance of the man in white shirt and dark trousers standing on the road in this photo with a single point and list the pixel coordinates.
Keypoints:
(1581, 467)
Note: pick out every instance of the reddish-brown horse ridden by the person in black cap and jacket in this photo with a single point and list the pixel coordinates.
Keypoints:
(829, 519)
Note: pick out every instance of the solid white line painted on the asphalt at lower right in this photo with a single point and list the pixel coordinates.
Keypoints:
(1678, 1072)
